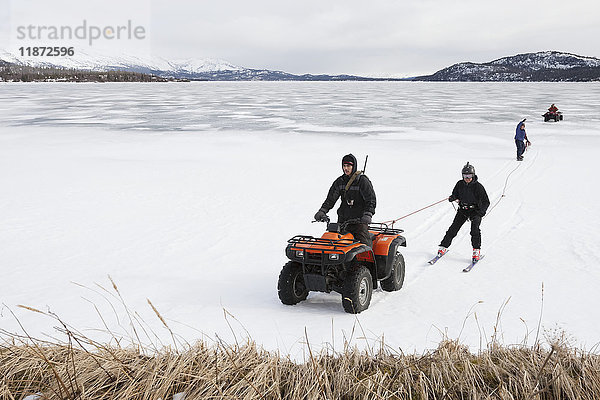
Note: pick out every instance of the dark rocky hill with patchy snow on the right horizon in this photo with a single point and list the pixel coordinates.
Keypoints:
(541, 66)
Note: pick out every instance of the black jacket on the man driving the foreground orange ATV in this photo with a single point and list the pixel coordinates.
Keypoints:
(357, 201)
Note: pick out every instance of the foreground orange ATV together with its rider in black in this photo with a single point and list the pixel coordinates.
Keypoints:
(352, 257)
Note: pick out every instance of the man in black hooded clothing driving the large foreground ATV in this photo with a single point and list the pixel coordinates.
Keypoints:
(357, 200)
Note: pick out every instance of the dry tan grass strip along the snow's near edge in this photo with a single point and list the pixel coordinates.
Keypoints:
(78, 367)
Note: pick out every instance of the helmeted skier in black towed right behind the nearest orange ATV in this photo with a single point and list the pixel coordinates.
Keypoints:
(473, 203)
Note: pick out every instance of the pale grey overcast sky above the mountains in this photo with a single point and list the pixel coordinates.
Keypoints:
(375, 38)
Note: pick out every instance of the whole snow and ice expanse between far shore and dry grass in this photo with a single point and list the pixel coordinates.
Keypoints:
(185, 194)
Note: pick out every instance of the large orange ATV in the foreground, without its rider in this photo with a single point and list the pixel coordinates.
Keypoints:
(337, 262)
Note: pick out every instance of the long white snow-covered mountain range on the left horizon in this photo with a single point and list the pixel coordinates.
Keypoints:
(195, 69)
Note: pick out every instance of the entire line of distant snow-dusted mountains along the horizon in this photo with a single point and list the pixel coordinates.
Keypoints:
(528, 67)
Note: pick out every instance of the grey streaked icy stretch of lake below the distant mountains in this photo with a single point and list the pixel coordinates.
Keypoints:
(299, 107)
